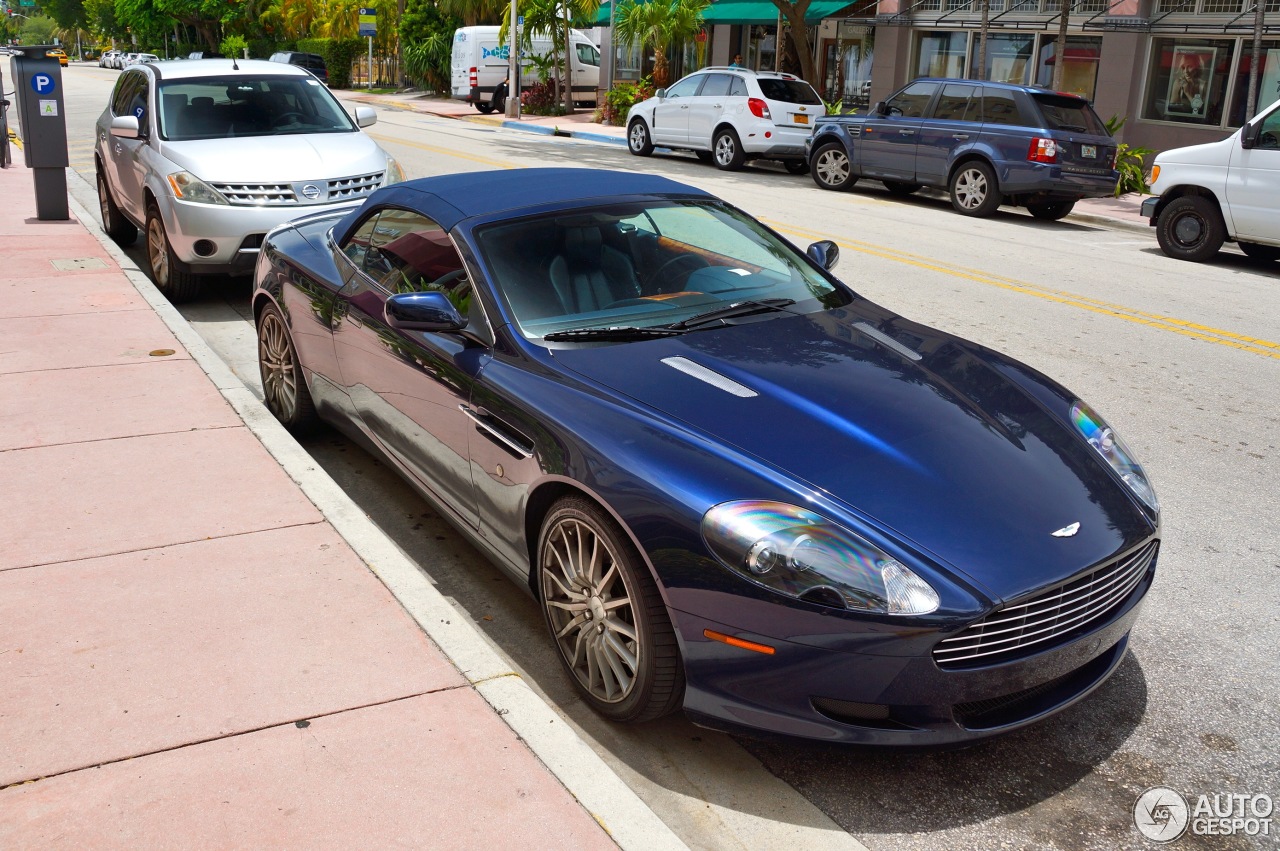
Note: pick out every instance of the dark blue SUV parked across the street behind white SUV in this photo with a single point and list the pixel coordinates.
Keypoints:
(986, 144)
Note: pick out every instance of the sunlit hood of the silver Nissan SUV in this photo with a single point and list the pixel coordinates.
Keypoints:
(278, 159)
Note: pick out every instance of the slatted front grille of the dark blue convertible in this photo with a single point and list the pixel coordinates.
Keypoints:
(1048, 619)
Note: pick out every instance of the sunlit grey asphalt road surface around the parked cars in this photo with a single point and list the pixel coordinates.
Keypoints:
(1183, 362)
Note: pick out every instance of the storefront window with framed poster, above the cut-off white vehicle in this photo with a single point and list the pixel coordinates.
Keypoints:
(1187, 80)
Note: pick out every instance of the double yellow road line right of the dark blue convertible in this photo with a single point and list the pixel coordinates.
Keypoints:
(1209, 335)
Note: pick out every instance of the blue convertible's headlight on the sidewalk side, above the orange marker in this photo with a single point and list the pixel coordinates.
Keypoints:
(796, 552)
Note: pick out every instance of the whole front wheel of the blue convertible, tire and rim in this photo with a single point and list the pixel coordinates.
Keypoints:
(606, 615)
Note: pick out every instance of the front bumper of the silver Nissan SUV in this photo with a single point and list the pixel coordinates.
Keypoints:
(235, 232)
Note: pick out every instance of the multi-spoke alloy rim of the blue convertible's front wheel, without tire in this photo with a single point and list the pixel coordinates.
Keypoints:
(589, 606)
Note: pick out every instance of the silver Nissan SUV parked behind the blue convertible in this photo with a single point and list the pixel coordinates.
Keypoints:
(207, 157)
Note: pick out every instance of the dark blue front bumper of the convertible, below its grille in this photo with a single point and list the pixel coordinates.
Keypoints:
(868, 699)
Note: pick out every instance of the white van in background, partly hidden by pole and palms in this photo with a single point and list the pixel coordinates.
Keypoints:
(479, 67)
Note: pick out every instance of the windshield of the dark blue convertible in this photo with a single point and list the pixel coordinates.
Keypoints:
(647, 267)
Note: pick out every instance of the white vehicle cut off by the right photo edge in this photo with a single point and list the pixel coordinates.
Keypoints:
(1206, 195)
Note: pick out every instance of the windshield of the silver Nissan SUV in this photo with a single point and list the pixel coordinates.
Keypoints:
(214, 108)
